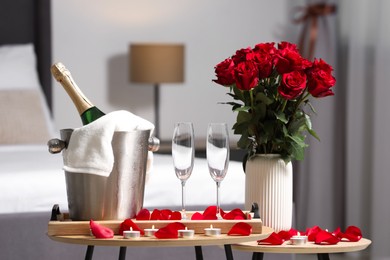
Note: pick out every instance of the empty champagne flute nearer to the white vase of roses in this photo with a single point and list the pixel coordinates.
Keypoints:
(217, 153)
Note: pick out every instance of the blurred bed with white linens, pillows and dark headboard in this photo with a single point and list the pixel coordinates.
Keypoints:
(32, 179)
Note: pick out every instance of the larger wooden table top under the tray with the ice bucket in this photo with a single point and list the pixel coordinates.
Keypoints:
(198, 240)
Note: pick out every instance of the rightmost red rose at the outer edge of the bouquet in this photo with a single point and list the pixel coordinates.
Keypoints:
(320, 79)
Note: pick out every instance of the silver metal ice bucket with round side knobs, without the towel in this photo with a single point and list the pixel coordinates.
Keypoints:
(120, 195)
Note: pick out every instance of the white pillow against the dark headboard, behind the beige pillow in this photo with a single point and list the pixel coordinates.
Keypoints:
(18, 67)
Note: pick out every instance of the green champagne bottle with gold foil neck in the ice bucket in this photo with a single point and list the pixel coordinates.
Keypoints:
(88, 112)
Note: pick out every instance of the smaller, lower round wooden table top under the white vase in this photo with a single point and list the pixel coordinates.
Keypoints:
(308, 248)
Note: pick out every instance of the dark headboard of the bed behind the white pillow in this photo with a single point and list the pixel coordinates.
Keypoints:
(25, 21)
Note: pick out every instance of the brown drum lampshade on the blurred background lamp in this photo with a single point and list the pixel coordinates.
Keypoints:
(156, 63)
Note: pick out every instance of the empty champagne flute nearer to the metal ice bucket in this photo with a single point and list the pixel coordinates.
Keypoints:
(183, 153)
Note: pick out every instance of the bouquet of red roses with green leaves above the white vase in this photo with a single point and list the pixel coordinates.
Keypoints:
(271, 88)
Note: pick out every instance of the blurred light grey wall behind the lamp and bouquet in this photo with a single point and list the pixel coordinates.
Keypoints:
(92, 37)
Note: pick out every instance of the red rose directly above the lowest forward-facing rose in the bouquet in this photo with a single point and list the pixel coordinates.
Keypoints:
(289, 59)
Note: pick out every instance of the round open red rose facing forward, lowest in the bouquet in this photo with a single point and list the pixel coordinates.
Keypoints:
(292, 85)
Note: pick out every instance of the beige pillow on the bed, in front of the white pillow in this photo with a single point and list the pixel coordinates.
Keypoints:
(22, 117)
